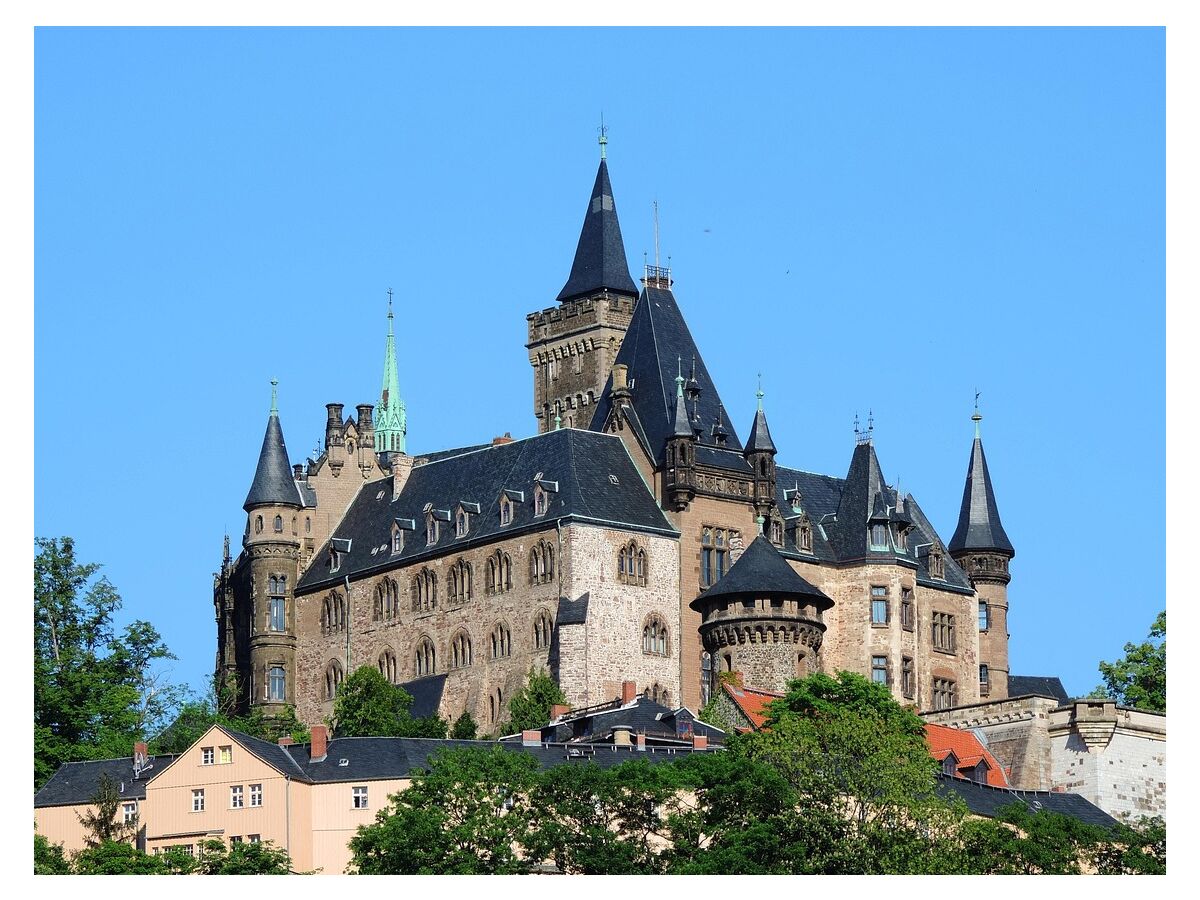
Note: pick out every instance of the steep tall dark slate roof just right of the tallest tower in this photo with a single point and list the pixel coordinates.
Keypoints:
(655, 346)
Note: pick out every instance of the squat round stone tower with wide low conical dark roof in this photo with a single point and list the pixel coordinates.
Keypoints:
(761, 620)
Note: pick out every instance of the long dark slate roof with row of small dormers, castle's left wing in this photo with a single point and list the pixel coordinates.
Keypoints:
(597, 481)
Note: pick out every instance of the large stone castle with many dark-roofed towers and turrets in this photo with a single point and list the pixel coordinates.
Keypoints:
(634, 538)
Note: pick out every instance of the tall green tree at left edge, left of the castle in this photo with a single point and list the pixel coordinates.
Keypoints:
(97, 689)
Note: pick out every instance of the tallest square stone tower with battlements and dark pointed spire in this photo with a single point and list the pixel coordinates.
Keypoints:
(573, 346)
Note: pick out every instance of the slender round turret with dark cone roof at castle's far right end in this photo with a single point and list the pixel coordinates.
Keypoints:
(982, 549)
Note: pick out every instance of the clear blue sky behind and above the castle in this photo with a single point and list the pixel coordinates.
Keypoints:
(874, 219)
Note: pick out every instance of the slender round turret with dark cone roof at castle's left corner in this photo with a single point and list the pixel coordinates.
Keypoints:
(273, 551)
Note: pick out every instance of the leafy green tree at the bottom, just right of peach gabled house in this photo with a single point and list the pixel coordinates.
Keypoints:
(466, 815)
